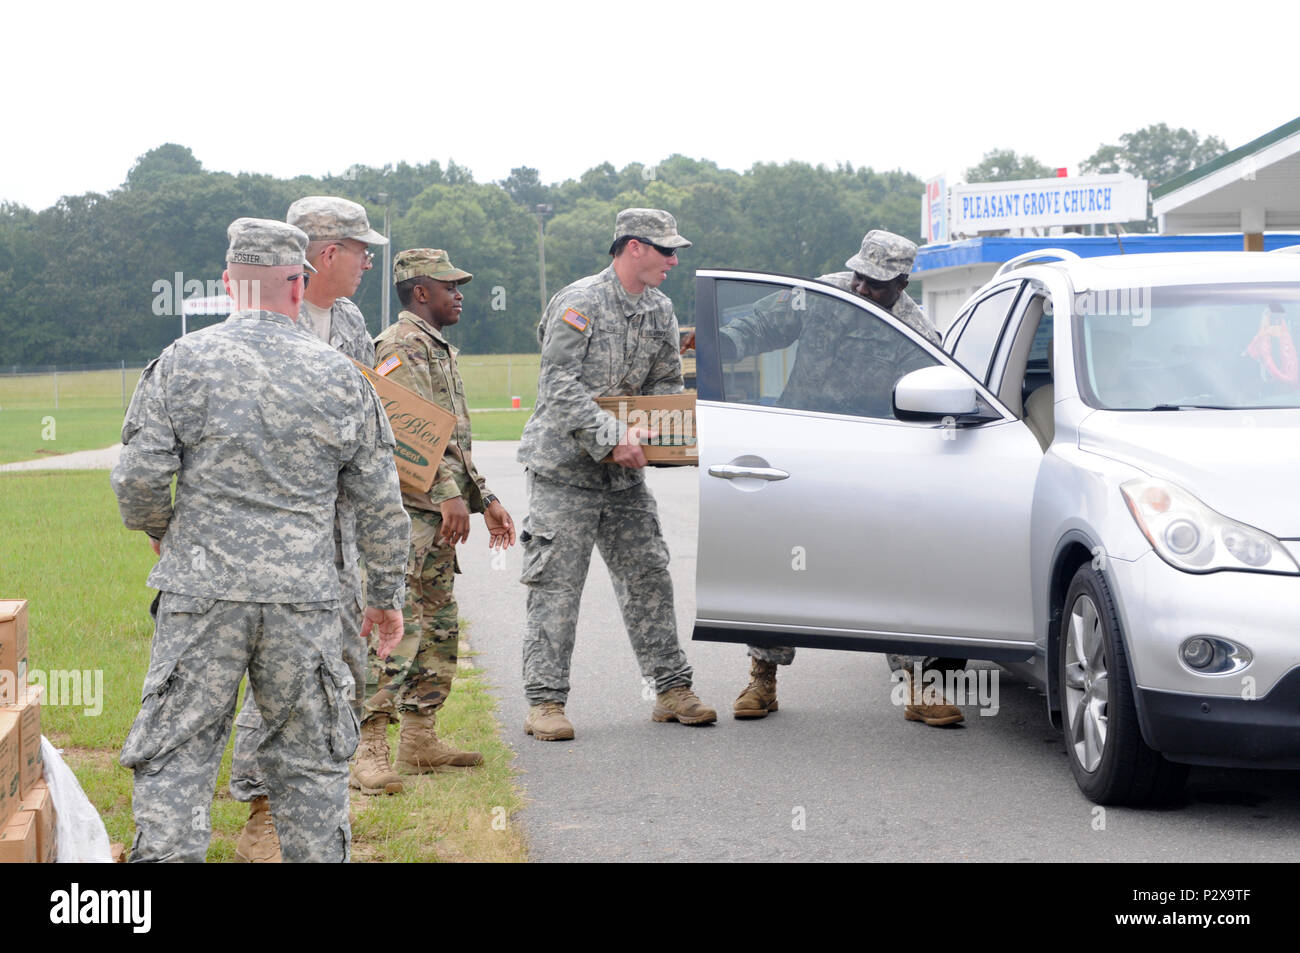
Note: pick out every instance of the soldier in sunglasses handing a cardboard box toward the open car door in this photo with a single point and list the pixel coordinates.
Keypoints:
(610, 335)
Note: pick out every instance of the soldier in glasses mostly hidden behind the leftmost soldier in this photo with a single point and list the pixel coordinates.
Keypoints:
(339, 233)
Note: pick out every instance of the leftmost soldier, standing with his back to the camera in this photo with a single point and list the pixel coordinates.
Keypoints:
(263, 427)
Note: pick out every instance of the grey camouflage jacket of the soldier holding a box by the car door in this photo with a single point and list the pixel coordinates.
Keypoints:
(597, 341)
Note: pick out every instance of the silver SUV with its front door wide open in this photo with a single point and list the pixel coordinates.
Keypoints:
(1095, 484)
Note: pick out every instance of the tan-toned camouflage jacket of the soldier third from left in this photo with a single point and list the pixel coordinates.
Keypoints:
(427, 365)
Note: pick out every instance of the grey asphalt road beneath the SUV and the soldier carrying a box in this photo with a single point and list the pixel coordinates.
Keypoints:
(835, 776)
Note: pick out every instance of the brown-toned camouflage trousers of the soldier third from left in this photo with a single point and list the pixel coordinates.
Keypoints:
(417, 677)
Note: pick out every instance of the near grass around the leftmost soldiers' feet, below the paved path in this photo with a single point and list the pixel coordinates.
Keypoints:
(66, 552)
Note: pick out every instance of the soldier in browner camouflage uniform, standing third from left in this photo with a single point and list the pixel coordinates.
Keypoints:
(415, 681)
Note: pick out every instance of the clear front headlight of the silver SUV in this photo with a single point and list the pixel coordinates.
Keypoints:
(1191, 538)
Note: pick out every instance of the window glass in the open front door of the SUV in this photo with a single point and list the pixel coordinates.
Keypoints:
(805, 350)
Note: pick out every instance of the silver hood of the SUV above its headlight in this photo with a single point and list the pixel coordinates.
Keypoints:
(1246, 465)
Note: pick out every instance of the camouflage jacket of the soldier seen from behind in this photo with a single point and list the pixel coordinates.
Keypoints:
(265, 427)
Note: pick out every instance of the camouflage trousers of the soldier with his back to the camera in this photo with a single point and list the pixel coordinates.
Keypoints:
(201, 652)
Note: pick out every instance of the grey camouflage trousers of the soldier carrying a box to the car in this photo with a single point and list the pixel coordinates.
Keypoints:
(562, 526)
